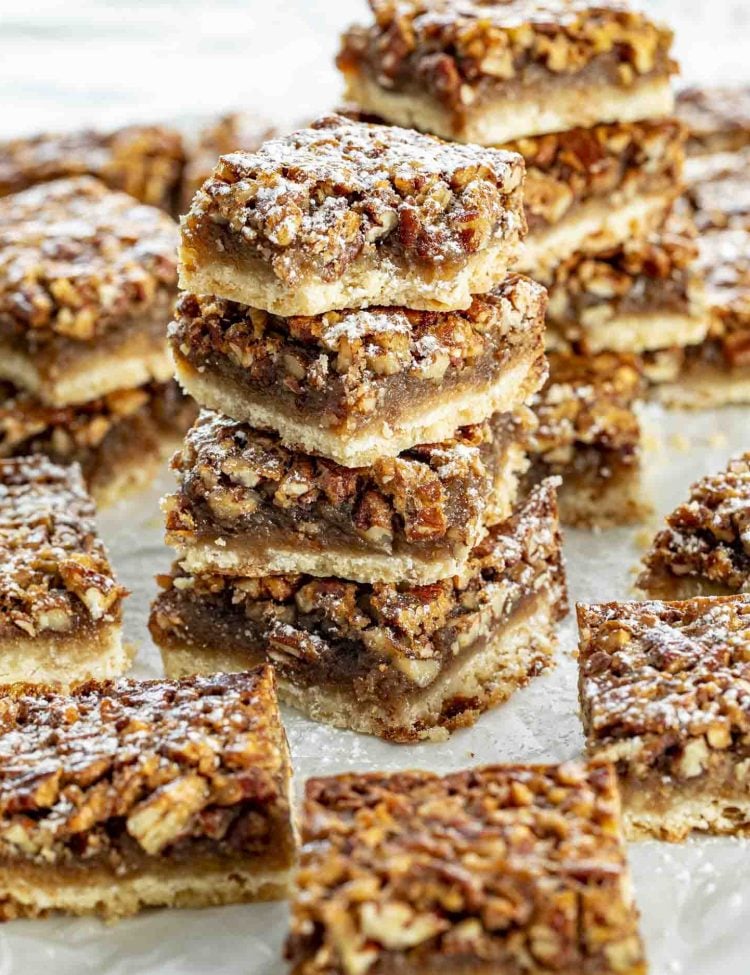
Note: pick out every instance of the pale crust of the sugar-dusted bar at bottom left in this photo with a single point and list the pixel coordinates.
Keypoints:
(30, 890)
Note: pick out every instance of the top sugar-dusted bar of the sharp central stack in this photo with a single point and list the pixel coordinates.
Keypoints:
(346, 215)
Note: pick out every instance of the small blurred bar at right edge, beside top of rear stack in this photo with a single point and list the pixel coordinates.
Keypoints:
(718, 118)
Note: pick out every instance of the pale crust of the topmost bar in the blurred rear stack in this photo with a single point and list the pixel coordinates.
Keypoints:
(493, 122)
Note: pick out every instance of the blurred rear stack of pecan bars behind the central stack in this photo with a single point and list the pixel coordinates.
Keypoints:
(581, 89)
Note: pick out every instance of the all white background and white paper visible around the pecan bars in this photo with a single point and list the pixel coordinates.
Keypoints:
(97, 62)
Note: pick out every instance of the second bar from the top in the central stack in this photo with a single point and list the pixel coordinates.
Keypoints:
(360, 385)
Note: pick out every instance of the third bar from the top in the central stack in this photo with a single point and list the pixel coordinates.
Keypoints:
(247, 505)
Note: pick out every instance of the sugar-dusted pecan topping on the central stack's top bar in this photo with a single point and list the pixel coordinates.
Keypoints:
(316, 200)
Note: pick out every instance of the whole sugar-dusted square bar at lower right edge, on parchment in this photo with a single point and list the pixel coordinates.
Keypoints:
(665, 696)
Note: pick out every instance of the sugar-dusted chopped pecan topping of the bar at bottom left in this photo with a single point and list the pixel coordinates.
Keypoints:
(119, 770)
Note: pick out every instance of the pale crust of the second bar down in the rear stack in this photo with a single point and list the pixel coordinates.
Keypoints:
(591, 227)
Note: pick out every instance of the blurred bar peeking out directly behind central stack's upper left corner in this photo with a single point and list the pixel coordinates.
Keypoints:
(228, 133)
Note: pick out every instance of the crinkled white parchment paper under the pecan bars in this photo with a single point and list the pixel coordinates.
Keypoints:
(694, 898)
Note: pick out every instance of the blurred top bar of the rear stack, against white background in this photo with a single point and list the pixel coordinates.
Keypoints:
(485, 72)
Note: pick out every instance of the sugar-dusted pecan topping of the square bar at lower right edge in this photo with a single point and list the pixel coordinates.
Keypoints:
(665, 685)
